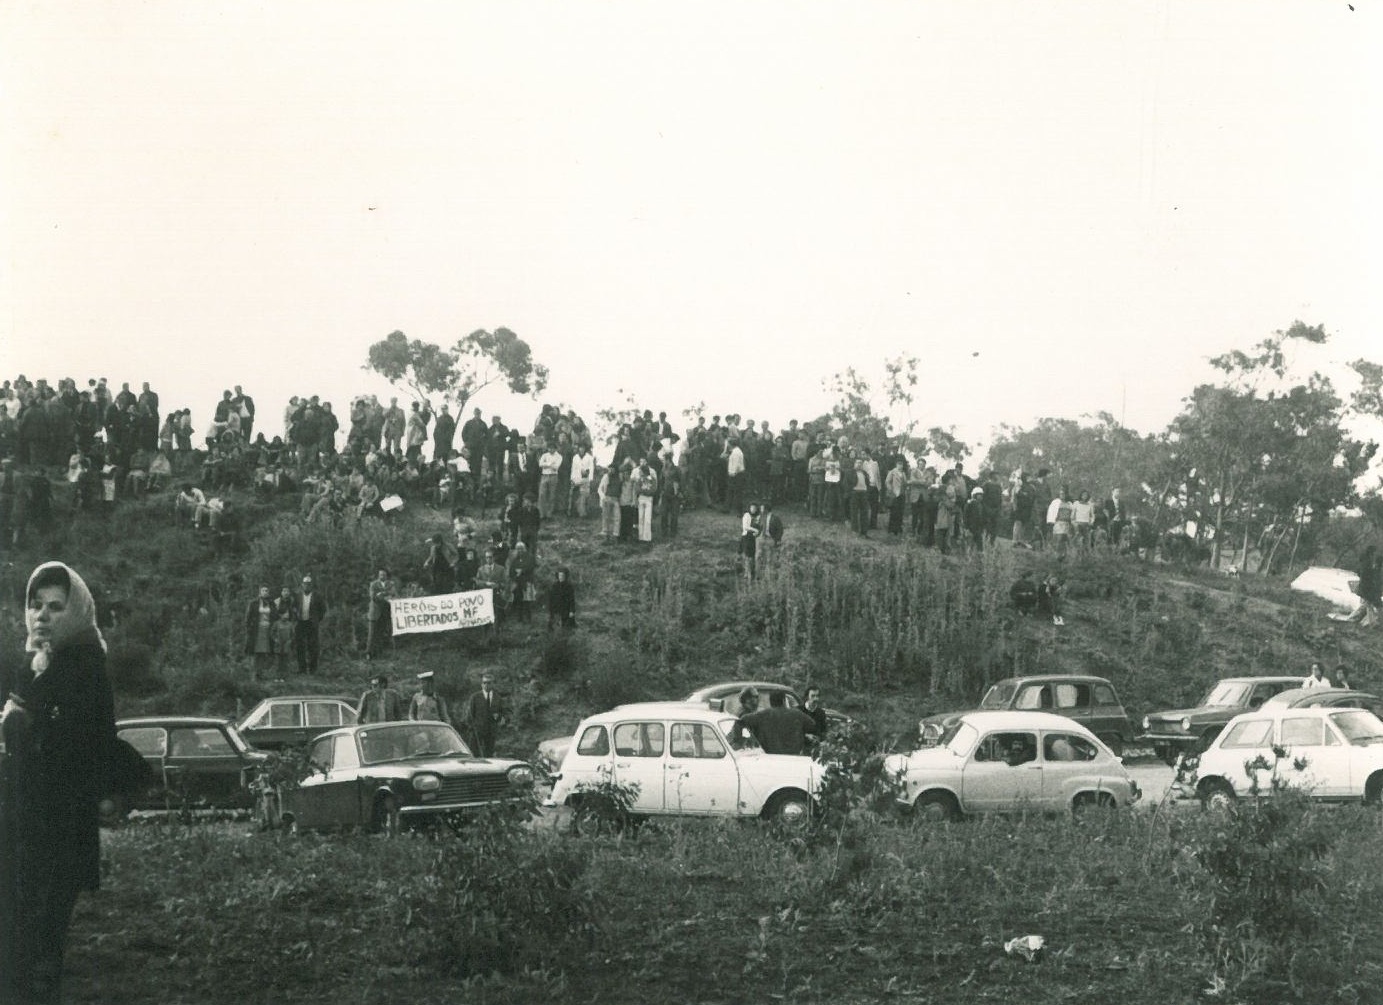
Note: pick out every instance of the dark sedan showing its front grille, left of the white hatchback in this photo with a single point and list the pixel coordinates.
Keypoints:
(392, 776)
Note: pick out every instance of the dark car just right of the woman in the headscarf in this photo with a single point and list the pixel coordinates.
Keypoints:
(198, 764)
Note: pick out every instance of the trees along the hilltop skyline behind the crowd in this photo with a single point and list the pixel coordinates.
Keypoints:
(1255, 462)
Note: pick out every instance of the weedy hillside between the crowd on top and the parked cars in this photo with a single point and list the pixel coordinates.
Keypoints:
(890, 630)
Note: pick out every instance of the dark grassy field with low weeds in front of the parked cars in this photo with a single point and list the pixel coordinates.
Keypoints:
(876, 910)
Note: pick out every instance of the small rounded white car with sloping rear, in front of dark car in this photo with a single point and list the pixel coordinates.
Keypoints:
(1012, 762)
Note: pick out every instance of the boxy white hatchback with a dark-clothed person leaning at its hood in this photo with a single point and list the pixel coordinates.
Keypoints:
(680, 761)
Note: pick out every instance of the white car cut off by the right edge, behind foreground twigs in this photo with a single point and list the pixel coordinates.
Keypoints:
(1335, 754)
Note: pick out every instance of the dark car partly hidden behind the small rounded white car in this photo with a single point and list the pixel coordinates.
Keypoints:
(1092, 702)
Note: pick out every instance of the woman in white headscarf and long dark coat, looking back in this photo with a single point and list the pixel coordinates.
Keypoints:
(59, 731)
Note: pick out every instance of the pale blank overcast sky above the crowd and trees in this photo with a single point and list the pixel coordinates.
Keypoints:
(1060, 208)
